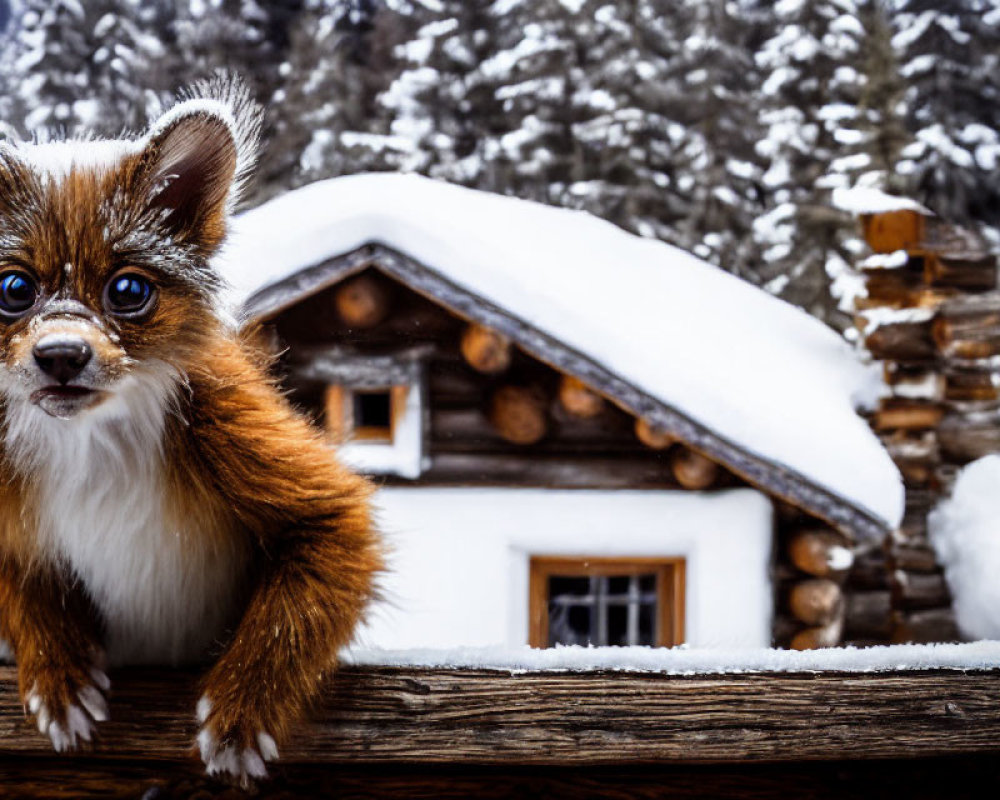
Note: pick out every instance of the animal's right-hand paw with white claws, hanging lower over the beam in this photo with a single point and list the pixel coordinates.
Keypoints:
(235, 751)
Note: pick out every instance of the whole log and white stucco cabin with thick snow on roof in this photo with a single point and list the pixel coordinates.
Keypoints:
(580, 436)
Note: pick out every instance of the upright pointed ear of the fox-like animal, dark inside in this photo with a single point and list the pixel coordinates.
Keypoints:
(188, 172)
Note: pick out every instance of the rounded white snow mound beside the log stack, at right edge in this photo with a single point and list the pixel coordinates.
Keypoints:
(965, 532)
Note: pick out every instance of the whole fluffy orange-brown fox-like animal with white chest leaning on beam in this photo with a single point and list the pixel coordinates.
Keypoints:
(160, 501)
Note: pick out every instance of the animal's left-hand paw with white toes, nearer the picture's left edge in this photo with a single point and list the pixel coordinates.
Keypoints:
(67, 709)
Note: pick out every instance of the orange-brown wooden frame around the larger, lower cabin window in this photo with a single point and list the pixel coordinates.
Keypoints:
(670, 589)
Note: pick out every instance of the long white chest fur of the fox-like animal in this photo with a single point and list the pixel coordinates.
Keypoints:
(165, 592)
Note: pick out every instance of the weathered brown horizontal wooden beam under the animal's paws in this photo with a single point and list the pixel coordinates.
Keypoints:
(384, 715)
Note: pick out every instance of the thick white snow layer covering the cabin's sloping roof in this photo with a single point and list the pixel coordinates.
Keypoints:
(697, 347)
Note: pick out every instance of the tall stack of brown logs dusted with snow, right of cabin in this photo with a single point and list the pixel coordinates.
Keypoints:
(932, 317)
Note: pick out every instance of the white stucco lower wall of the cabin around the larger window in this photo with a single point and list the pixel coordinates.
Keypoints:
(459, 563)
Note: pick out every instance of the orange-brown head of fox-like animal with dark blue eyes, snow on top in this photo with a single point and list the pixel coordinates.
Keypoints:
(106, 284)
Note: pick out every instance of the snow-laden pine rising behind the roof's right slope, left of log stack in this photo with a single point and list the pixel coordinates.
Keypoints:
(811, 87)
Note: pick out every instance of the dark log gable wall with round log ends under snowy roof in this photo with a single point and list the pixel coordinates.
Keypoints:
(482, 425)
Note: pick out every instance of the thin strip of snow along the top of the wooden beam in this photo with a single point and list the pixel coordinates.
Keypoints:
(685, 661)
